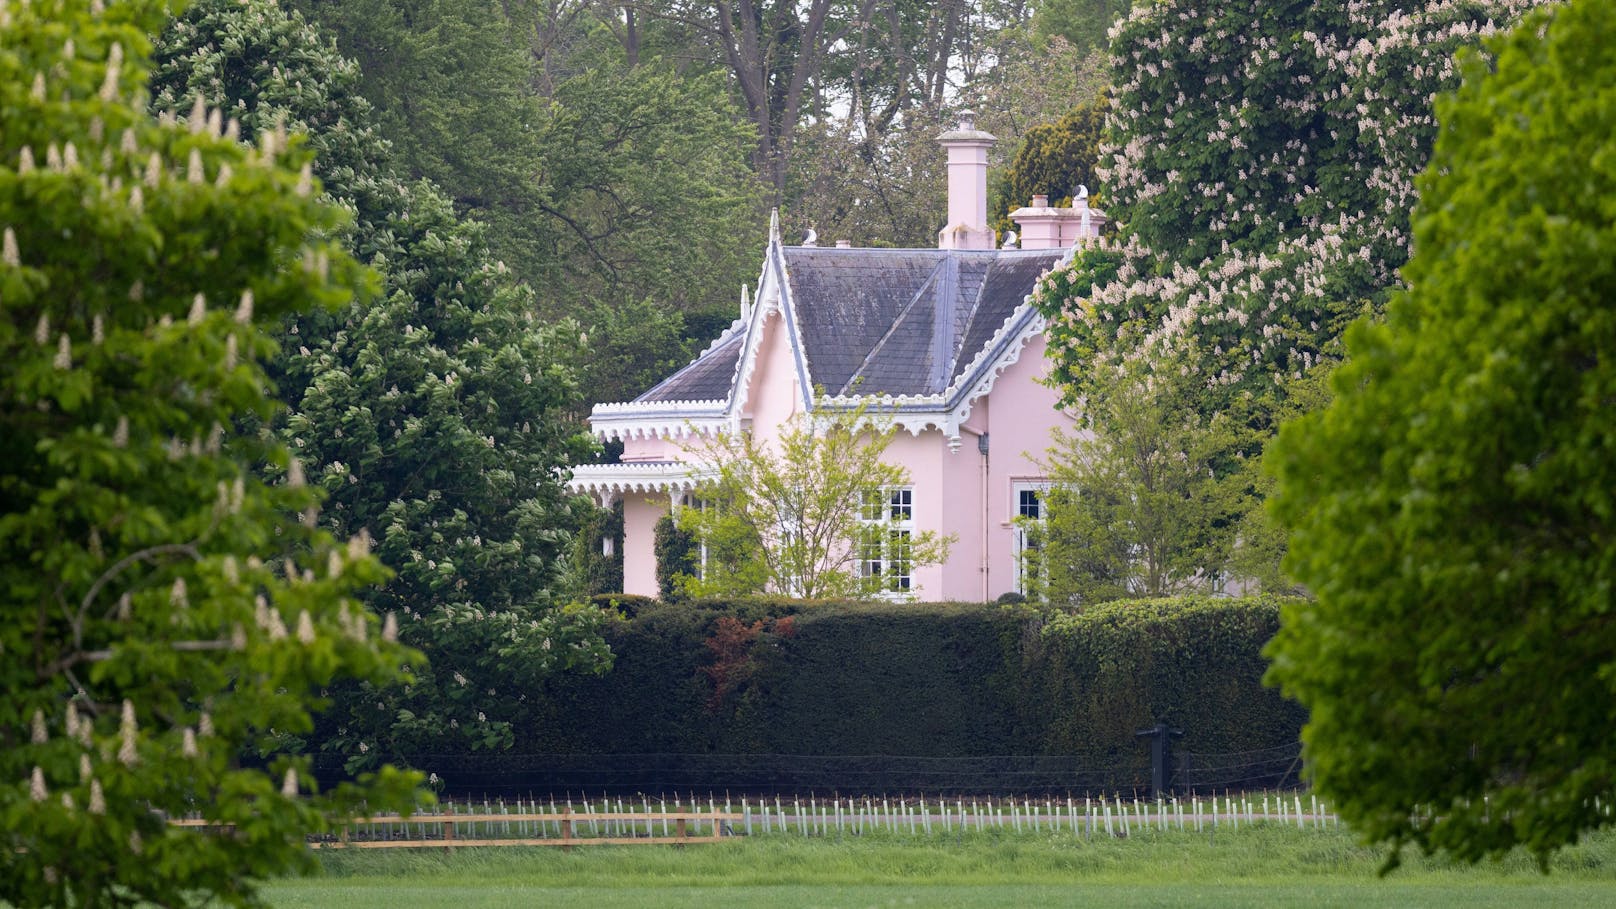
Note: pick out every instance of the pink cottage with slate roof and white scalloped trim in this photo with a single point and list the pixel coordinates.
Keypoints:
(943, 339)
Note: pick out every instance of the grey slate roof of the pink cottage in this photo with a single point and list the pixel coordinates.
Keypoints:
(882, 321)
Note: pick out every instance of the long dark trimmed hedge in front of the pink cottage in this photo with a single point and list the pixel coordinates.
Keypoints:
(932, 680)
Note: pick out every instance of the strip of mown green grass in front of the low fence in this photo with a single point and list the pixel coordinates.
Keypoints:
(1266, 866)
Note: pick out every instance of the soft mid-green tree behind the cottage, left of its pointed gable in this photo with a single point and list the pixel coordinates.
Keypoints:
(599, 180)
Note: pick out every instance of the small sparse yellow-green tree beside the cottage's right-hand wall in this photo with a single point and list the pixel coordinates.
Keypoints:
(1145, 499)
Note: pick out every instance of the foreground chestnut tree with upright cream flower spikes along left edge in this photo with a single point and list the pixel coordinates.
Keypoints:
(166, 607)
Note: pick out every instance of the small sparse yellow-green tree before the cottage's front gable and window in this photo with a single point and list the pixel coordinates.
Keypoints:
(809, 515)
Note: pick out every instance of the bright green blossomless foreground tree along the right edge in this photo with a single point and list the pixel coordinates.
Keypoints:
(1454, 507)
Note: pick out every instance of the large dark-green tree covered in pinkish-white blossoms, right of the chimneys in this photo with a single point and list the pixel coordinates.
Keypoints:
(1263, 172)
